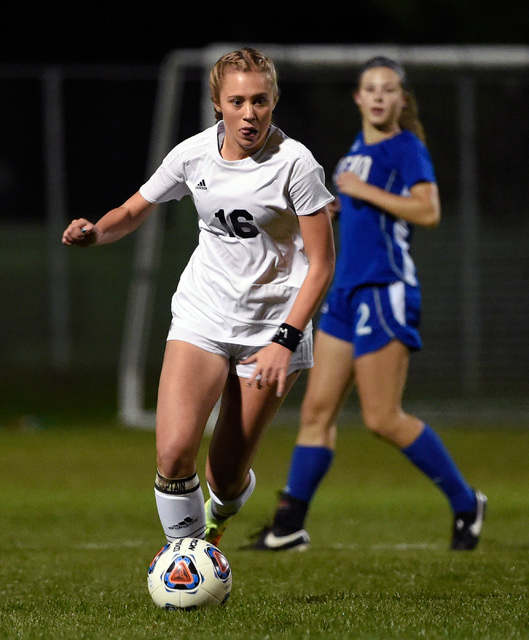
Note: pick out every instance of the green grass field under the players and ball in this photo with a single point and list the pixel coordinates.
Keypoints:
(79, 528)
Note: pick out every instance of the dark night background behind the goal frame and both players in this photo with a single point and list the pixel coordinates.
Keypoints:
(108, 125)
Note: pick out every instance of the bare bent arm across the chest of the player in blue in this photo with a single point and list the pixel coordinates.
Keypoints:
(421, 207)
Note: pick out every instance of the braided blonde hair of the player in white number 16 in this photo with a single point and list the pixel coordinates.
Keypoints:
(245, 59)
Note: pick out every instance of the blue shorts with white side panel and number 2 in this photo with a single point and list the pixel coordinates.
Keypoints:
(370, 317)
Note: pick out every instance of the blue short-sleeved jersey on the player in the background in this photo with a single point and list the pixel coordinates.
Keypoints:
(374, 245)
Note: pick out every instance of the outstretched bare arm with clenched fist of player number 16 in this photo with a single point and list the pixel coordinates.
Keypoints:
(114, 225)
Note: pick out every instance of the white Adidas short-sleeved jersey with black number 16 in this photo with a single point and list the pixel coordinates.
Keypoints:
(250, 261)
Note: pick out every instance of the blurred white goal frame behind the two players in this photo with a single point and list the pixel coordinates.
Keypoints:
(132, 365)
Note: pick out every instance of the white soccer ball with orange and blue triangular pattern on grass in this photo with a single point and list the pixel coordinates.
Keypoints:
(189, 573)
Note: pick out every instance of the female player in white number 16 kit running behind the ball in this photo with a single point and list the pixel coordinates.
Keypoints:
(241, 314)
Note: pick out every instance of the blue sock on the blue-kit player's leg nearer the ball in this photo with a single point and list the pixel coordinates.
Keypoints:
(308, 465)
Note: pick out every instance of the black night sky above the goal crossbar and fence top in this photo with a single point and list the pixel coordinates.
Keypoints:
(120, 33)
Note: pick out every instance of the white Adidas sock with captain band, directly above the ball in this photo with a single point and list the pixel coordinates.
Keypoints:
(180, 504)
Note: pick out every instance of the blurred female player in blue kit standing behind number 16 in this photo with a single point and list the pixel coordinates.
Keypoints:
(369, 323)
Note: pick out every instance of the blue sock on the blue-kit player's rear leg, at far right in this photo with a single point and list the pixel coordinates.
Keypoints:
(429, 454)
